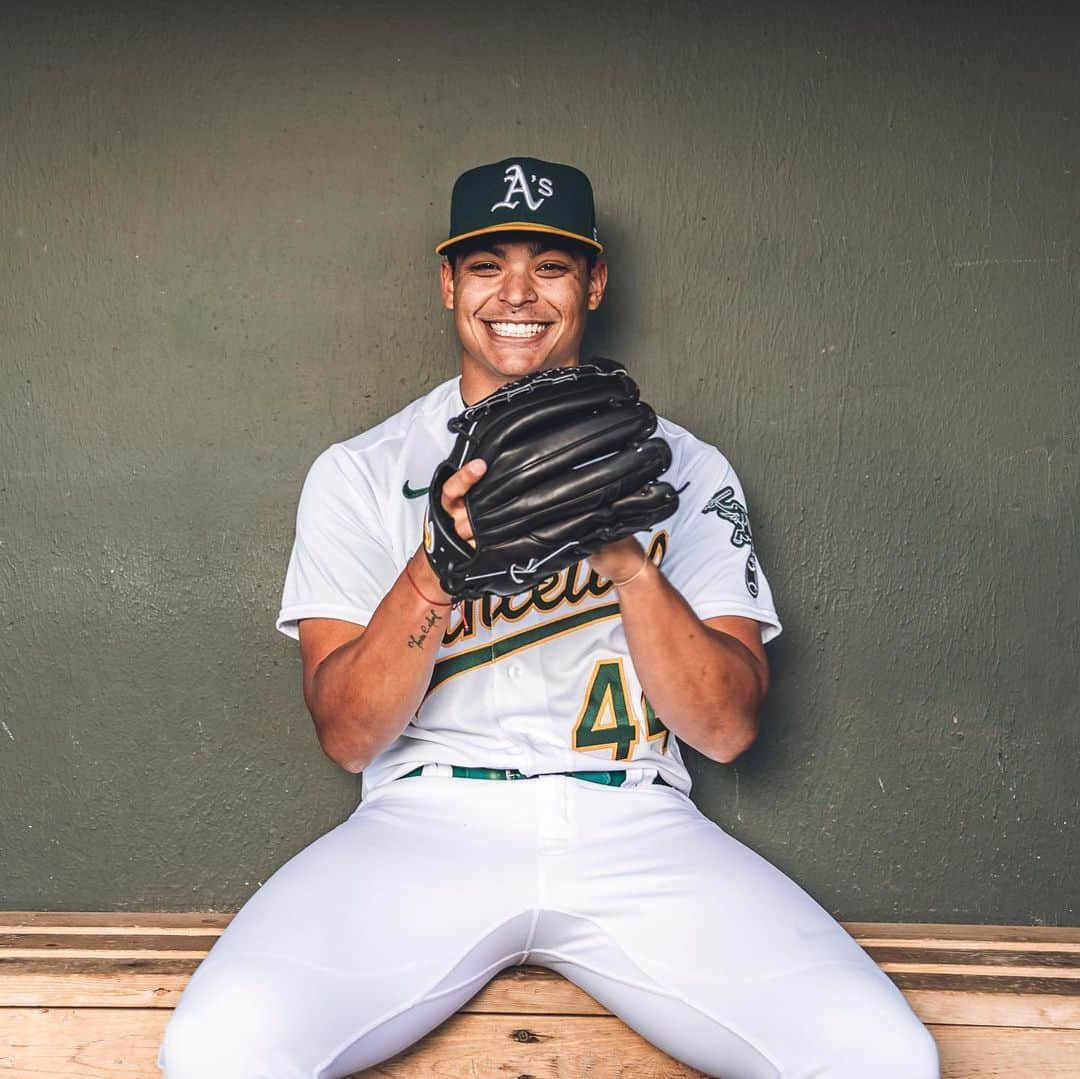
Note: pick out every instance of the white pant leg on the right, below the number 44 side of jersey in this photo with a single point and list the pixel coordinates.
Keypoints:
(711, 953)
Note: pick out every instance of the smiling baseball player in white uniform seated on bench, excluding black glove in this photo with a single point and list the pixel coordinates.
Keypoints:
(524, 798)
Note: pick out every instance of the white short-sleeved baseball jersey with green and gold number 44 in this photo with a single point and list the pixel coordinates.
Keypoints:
(542, 682)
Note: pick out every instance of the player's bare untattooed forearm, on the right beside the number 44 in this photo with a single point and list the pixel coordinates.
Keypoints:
(704, 685)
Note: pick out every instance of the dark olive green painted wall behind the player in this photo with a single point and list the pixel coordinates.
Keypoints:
(845, 248)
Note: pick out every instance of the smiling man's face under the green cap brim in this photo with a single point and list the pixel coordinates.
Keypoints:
(520, 306)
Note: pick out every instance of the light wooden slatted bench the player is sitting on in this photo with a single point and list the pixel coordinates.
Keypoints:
(89, 995)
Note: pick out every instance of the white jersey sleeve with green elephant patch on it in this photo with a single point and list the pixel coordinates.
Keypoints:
(712, 560)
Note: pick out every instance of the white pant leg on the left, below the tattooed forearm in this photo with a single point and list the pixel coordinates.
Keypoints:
(364, 941)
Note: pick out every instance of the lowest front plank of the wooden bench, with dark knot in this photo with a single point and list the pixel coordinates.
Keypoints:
(123, 1044)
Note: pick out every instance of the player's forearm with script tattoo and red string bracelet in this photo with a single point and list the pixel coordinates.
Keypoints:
(366, 693)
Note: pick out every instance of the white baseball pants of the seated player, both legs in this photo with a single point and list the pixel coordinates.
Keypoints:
(383, 928)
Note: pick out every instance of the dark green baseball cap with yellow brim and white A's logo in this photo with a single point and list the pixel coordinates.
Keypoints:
(523, 195)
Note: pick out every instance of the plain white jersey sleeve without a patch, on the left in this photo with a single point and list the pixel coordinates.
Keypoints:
(340, 568)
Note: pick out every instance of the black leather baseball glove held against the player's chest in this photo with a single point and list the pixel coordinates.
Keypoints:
(571, 467)
